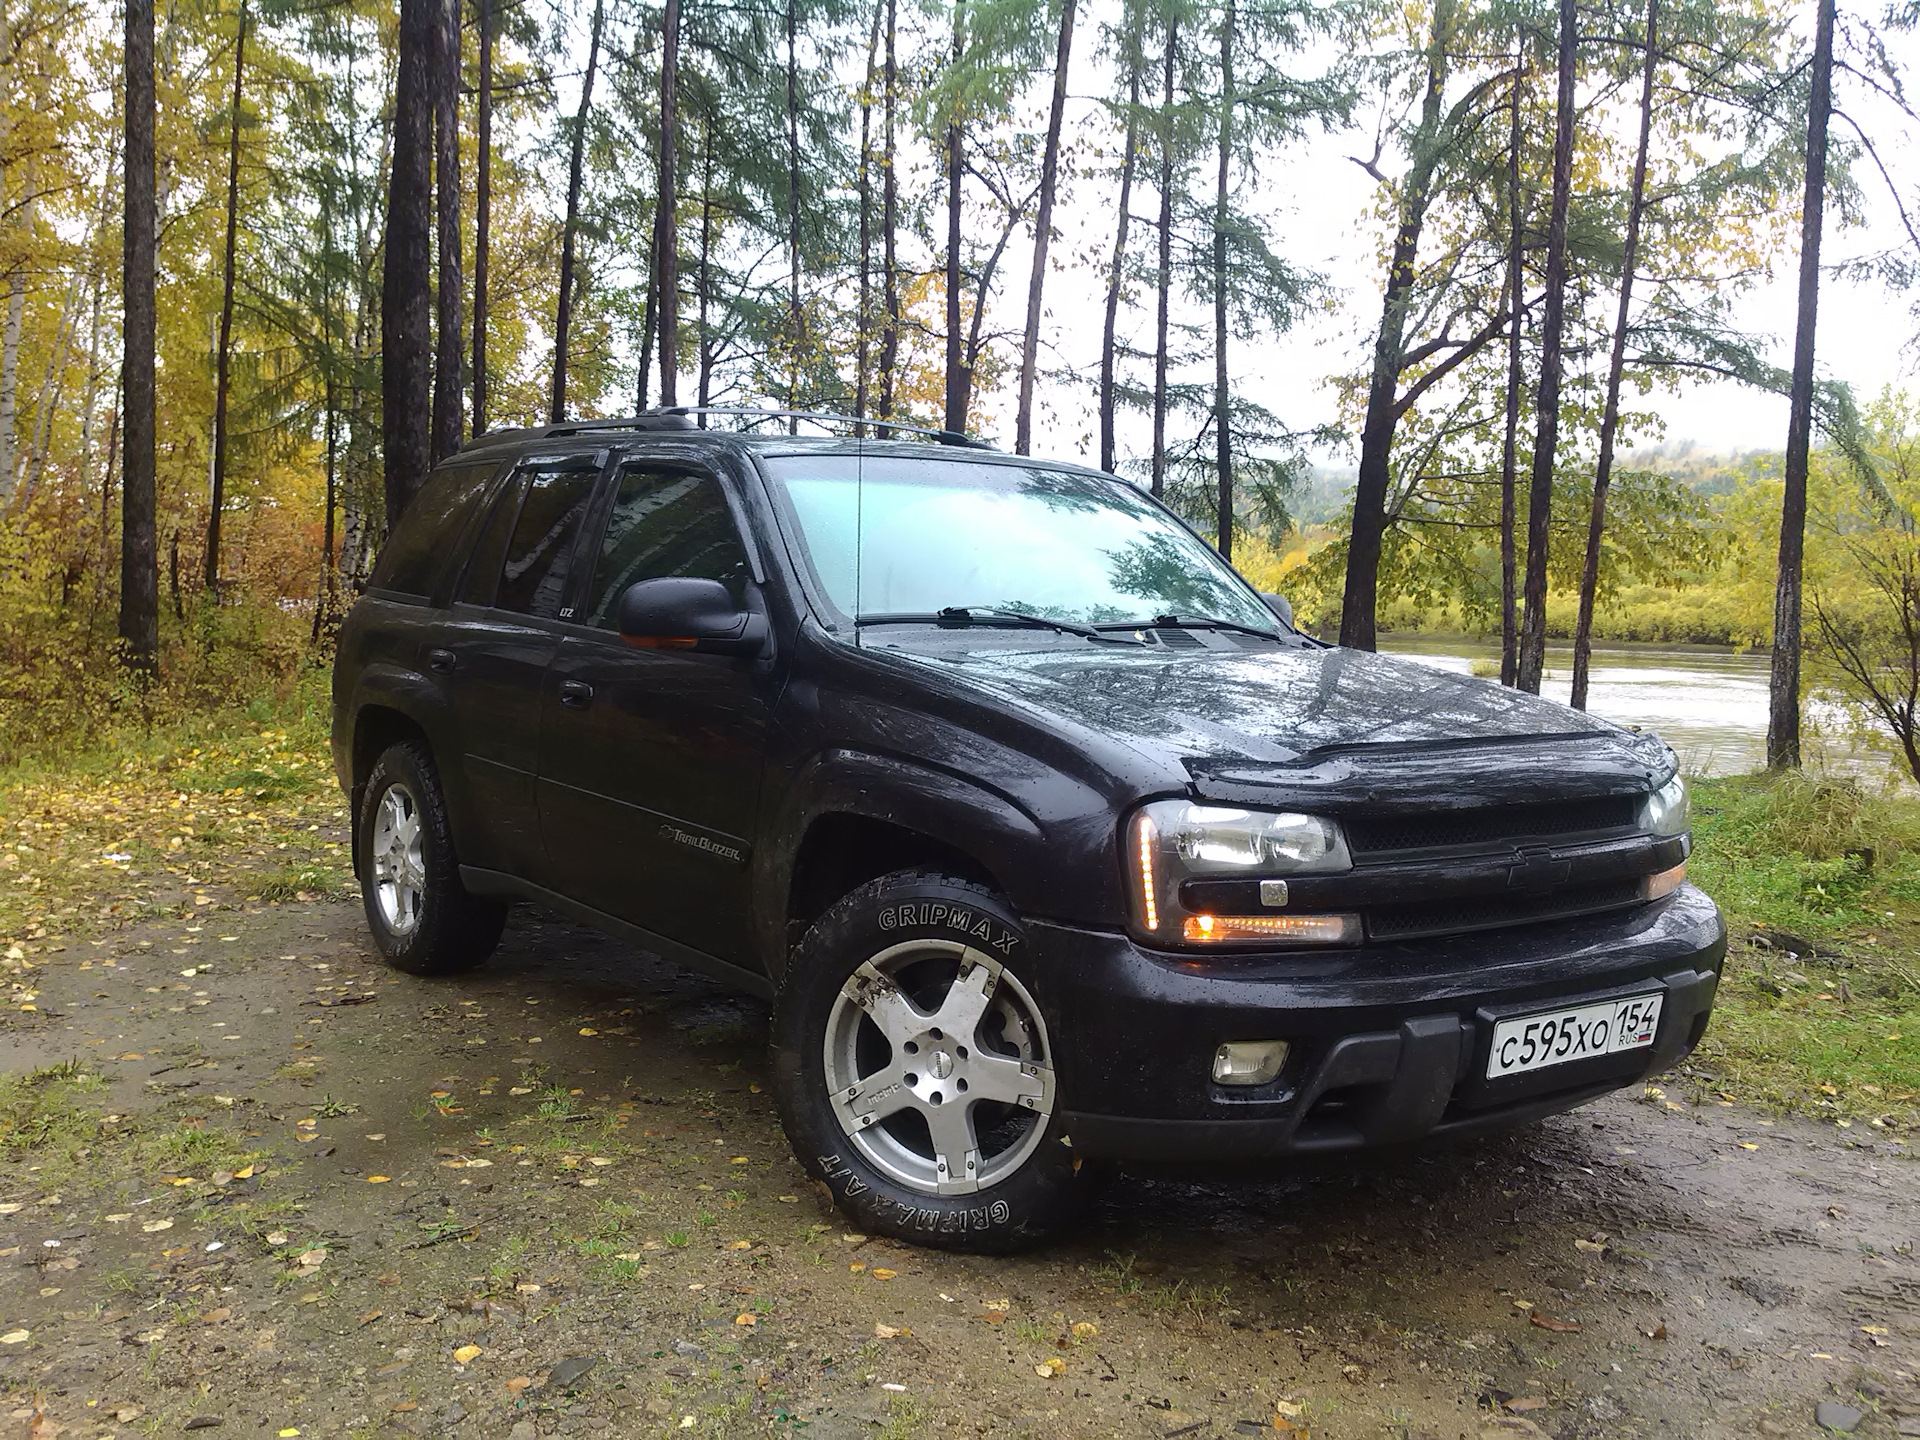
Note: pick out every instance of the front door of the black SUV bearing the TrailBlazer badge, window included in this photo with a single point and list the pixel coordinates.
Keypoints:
(650, 759)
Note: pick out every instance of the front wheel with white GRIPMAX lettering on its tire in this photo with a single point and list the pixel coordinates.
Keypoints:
(915, 1068)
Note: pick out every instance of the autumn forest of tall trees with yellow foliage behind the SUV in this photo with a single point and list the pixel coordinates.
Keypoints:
(272, 260)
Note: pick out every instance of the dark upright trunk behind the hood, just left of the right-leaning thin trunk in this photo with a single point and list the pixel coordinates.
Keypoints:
(1552, 324)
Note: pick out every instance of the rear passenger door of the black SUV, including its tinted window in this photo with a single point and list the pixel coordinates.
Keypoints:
(494, 650)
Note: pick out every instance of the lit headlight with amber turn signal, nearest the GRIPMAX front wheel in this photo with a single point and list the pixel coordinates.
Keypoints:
(1174, 842)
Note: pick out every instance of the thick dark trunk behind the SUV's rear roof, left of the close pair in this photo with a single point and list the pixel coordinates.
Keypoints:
(406, 316)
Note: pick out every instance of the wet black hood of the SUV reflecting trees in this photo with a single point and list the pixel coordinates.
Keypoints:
(1262, 717)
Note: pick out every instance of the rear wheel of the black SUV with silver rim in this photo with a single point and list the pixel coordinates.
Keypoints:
(418, 909)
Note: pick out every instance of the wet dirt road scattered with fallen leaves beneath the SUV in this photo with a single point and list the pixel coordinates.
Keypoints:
(306, 1195)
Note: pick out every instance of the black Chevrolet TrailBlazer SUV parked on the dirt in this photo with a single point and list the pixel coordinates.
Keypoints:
(1044, 834)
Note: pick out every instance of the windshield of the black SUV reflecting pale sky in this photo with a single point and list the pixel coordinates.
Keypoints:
(894, 535)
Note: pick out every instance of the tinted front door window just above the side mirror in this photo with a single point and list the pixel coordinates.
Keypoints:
(665, 523)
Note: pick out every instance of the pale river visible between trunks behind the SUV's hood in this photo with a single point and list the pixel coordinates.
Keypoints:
(1708, 704)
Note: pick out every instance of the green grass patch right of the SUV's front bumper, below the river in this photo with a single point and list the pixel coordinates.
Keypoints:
(1819, 1007)
